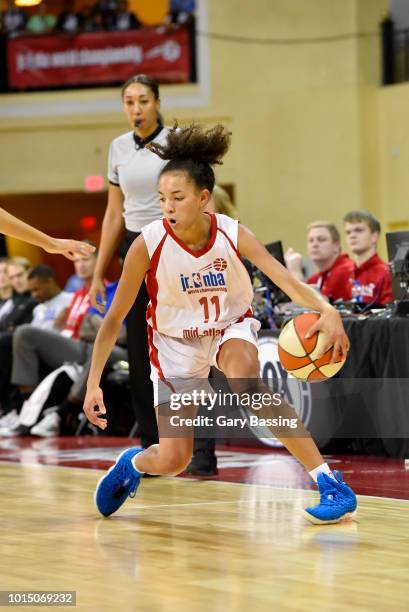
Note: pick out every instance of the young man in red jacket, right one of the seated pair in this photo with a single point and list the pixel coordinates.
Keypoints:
(370, 280)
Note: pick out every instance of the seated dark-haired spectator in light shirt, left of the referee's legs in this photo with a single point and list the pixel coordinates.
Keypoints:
(51, 300)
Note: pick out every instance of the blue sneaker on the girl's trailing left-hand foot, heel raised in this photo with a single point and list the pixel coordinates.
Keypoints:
(119, 483)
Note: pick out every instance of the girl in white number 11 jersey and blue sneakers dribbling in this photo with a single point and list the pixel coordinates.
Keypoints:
(200, 315)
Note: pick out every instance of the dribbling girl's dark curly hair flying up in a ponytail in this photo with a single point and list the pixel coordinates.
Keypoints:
(194, 149)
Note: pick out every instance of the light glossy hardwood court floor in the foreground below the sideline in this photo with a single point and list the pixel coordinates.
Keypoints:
(184, 545)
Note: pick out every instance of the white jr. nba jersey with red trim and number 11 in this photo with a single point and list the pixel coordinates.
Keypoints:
(196, 293)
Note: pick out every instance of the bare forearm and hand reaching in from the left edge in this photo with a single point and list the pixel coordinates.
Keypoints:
(12, 226)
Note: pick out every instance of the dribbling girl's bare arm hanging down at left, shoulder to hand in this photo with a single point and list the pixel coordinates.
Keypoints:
(135, 267)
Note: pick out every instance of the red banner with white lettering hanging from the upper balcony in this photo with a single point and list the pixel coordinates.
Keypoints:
(97, 58)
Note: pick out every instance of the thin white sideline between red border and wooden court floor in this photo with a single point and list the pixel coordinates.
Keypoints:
(184, 479)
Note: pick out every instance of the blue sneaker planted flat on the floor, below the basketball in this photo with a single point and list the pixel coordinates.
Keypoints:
(337, 501)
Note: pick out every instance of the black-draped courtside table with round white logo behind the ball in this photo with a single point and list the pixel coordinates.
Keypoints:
(366, 407)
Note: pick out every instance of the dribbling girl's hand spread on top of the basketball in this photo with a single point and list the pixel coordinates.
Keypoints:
(336, 338)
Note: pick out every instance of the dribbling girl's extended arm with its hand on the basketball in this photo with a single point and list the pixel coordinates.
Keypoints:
(300, 293)
